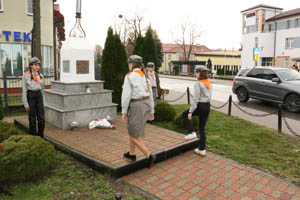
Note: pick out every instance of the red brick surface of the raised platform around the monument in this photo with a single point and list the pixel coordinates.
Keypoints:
(108, 145)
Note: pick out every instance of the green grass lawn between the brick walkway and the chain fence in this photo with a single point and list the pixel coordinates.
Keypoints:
(251, 144)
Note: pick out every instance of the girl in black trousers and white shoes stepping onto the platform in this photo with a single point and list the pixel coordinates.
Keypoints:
(200, 107)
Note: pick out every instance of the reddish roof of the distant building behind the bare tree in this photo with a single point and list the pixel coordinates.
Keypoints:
(176, 48)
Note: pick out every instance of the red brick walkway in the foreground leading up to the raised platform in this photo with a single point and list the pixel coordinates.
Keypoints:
(190, 176)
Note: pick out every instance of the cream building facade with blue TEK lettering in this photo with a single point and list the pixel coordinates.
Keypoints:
(16, 18)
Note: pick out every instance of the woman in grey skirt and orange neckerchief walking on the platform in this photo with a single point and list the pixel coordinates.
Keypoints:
(138, 106)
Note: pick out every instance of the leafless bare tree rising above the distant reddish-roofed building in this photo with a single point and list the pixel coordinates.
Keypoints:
(189, 37)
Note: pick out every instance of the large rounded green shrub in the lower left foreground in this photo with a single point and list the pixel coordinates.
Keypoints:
(24, 156)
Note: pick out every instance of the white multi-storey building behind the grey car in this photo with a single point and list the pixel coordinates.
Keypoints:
(271, 34)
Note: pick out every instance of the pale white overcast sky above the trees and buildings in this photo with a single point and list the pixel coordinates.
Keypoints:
(219, 20)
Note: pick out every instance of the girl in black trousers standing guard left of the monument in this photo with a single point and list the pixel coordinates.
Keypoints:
(33, 84)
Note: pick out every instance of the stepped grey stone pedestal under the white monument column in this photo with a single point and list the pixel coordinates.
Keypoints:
(68, 102)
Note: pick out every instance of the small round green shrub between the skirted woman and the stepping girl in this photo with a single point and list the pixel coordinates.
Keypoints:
(164, 111)
